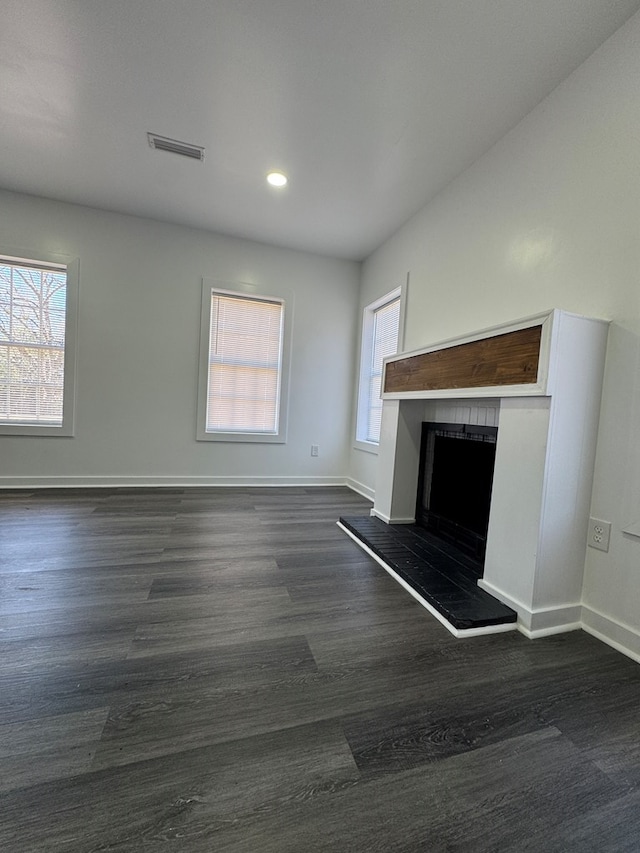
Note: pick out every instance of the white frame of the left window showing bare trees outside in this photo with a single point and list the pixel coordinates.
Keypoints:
(72, 267)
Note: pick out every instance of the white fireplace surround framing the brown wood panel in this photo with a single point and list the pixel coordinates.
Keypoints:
(543, 471)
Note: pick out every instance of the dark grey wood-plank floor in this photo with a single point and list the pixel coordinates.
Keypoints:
(214, 670)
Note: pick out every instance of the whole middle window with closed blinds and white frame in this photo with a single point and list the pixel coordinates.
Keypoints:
(243, 368)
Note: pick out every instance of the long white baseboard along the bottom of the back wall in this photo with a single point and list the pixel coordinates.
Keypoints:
(90, 482)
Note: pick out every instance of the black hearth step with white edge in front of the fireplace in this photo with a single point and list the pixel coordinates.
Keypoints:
(438, 572)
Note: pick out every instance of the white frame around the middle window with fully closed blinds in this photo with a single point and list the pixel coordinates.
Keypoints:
(256, 292)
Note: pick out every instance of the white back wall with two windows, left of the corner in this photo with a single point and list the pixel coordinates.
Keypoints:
(139, 321)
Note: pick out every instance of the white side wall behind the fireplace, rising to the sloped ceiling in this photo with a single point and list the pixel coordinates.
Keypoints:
(549, 218)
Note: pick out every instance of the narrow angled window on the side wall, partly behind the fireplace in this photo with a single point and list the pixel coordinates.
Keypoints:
(380, 332)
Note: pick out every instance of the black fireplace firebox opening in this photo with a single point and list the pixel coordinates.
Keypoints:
(454, 484)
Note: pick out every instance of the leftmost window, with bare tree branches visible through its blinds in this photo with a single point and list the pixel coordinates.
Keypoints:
(38, 303)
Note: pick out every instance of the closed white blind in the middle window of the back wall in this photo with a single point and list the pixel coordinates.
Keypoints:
(245, 364)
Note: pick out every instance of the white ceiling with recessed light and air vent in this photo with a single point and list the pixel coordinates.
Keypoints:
(369, 106)
